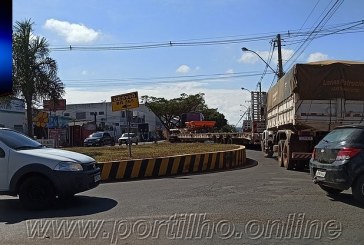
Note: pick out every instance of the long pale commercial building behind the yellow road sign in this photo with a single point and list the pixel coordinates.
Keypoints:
(83, 119)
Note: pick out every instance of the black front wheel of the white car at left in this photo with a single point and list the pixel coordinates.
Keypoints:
(36, 193)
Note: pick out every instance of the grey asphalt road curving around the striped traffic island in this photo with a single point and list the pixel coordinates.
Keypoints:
(262, 204)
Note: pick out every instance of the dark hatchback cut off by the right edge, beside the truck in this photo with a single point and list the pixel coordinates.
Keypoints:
(337, 161)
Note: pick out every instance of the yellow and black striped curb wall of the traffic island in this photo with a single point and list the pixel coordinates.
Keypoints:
(172, 165)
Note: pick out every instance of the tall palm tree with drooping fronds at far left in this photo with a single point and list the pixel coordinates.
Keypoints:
(34, 72)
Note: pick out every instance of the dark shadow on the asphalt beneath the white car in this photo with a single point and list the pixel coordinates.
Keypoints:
(11, 211)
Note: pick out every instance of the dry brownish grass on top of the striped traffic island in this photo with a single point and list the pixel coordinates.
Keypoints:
(143, 151)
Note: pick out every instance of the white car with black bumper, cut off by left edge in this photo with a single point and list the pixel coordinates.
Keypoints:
(39, 174)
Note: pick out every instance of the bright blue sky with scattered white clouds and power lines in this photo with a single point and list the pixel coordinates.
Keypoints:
(164, 48)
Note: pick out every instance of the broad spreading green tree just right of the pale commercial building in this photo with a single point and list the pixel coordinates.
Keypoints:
(169, 111)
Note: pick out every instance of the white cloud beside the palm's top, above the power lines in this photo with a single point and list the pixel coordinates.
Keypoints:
(73, 33)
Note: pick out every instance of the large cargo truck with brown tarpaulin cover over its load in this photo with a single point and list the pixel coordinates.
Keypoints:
(308, 102)
